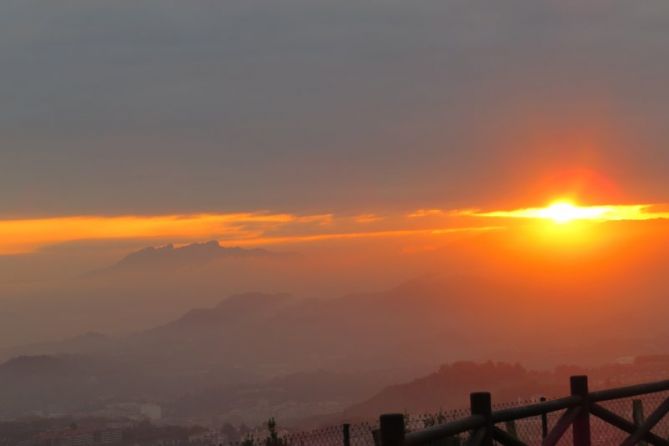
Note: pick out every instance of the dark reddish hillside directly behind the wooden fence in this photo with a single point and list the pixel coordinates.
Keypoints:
(449, 387)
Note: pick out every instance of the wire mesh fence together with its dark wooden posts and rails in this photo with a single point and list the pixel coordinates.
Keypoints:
(623, 416)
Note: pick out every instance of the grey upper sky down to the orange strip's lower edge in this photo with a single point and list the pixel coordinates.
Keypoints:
(262, 123)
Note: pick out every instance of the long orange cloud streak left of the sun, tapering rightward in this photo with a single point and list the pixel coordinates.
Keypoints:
(20, 236)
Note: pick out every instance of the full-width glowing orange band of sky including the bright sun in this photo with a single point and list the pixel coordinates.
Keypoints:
(20, 236)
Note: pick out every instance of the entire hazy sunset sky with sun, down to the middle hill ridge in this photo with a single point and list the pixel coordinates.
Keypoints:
(376, 141)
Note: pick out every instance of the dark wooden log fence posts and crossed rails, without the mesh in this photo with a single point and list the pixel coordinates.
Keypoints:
(481, 428)
